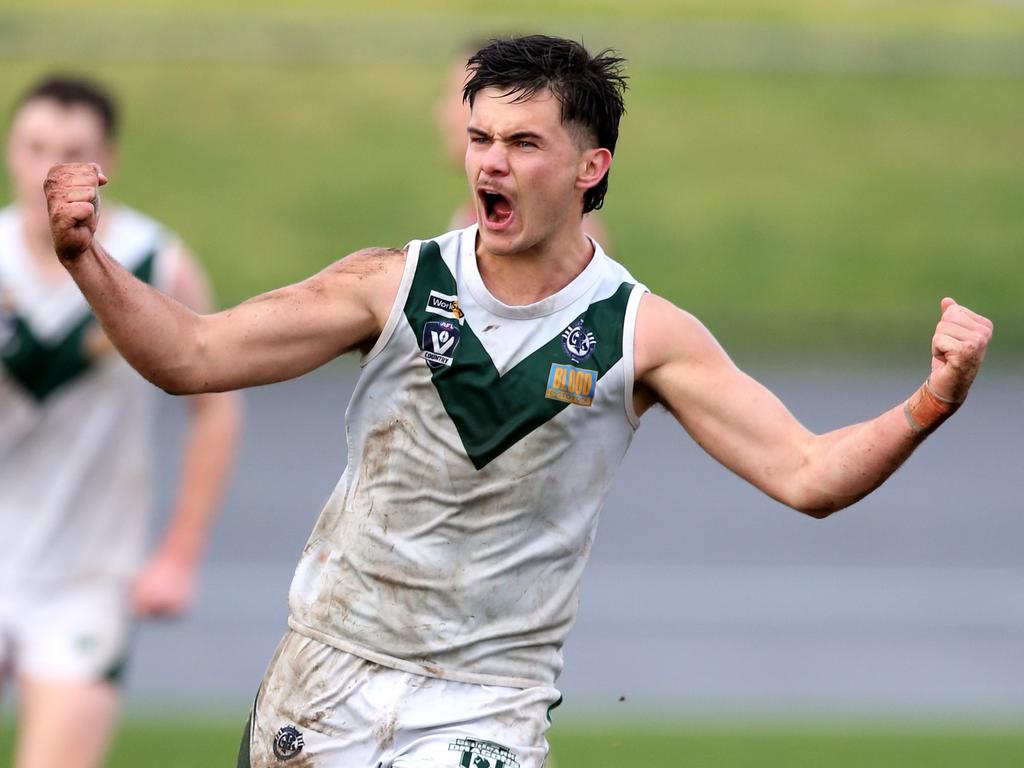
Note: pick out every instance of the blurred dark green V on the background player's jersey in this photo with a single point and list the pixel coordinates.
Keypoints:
(42, 367)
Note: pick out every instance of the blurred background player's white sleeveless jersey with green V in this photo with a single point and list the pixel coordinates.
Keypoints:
(75, 419)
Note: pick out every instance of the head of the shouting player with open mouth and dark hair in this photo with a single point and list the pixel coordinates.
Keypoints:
(544, 123)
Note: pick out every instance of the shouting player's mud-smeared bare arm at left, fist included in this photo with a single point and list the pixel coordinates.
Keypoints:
(273, 337)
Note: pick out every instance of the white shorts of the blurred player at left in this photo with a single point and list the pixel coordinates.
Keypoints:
(69, 633)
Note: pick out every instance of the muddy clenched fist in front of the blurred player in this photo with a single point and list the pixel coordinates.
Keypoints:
(73, 200)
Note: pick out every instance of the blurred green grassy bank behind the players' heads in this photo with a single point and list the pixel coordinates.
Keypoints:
(807, 178)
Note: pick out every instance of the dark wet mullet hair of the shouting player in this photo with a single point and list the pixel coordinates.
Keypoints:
(589, 89)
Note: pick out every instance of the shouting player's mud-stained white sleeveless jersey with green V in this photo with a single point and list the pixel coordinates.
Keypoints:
(482, 442)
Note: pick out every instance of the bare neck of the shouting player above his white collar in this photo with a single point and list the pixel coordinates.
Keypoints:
(536, 274)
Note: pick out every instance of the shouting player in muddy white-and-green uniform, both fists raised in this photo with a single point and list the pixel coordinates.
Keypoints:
(506, 367)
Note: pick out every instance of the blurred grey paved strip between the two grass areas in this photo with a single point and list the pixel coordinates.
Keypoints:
(702, 595)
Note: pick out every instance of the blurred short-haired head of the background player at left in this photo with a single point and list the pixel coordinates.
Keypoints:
(59, 120)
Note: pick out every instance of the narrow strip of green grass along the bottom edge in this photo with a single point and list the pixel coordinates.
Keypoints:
(214, 745)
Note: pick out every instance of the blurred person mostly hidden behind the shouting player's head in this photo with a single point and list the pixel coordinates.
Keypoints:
(452, 115)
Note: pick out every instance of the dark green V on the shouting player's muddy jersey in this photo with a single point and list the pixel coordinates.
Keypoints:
(492, 412)
